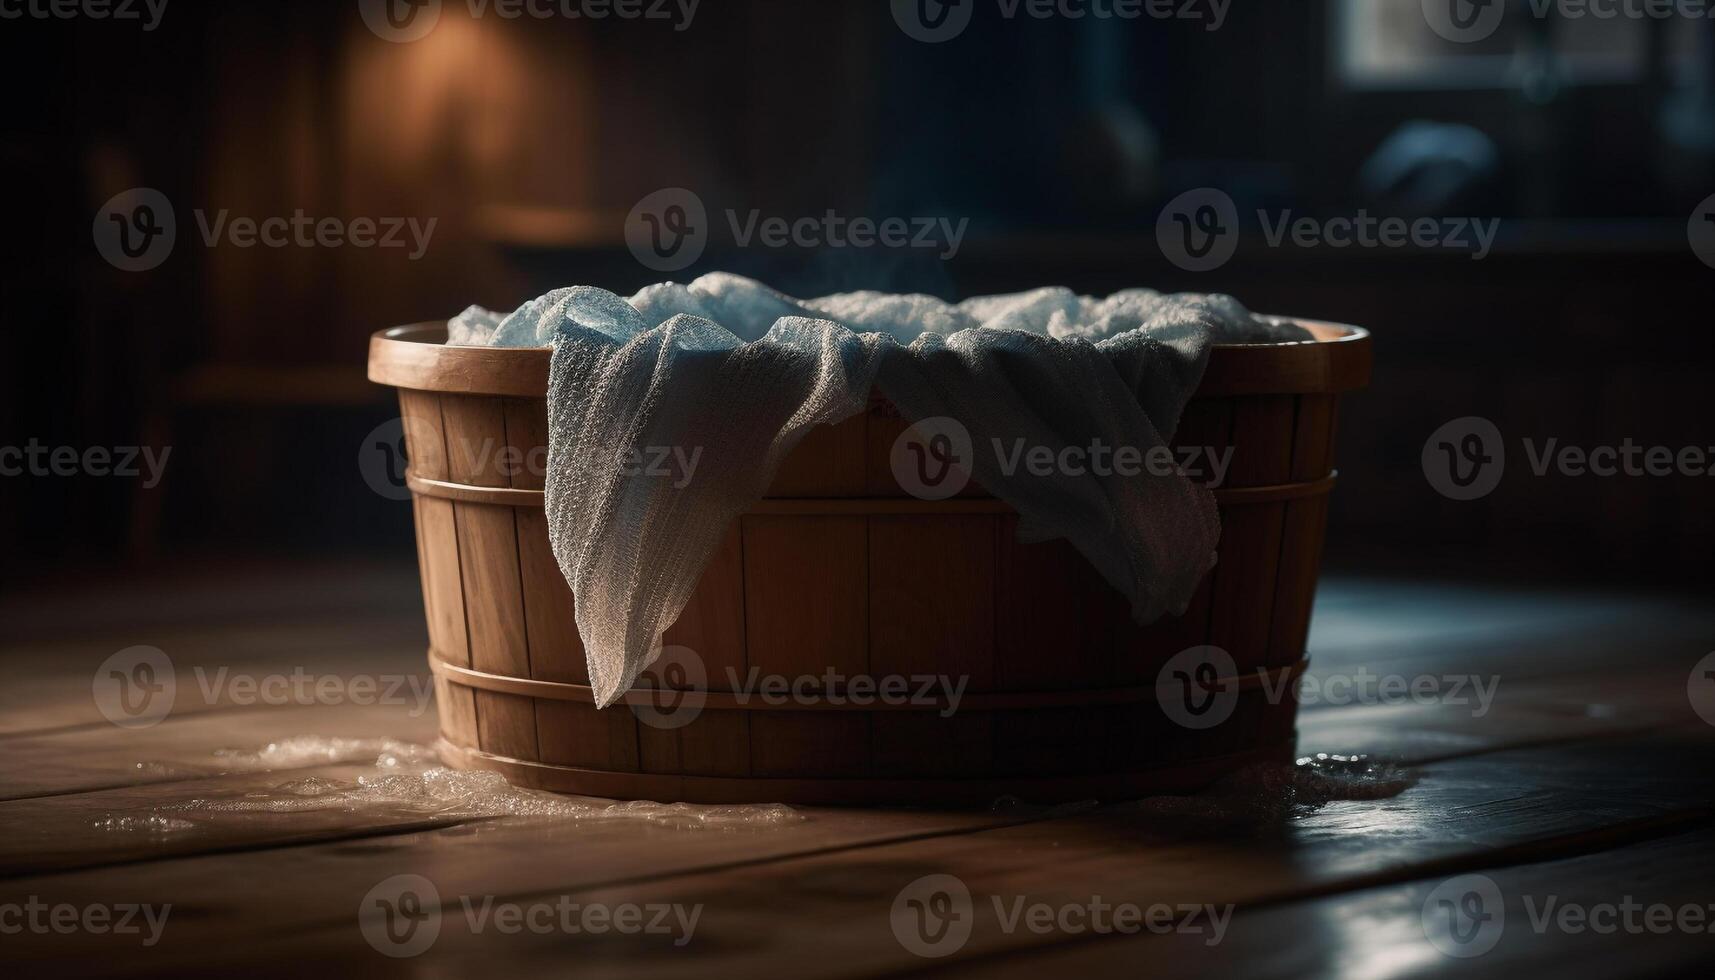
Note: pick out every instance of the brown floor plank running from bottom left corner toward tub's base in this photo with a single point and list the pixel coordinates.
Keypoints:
(234, 898)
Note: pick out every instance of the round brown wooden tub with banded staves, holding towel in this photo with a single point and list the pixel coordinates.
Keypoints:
(841, 574)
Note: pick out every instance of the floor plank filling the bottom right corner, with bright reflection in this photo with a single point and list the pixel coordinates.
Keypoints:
(1381, 933)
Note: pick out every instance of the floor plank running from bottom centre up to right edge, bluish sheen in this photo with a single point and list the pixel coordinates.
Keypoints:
(833, 916)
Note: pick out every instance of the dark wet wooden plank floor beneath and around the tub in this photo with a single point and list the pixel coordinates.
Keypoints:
(1589, 746)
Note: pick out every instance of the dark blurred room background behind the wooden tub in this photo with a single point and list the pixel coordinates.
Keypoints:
(1061, 140)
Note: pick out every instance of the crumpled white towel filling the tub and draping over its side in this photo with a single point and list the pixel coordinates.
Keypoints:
(733, 375)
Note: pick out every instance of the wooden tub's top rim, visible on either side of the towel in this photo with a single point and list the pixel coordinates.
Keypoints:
(418, 358)
